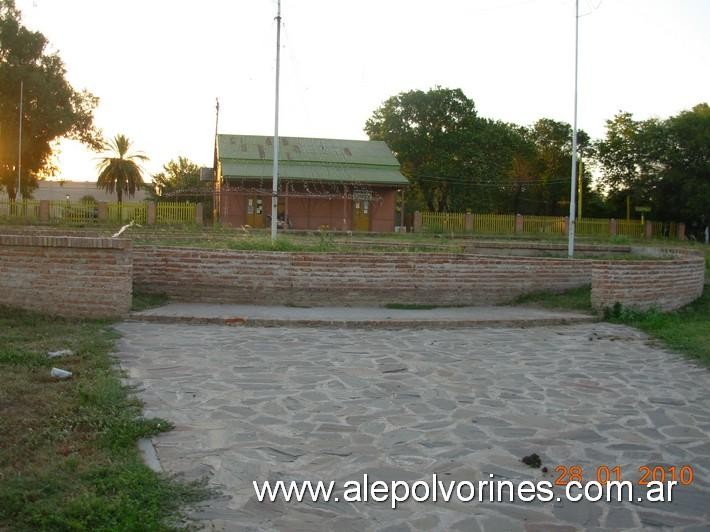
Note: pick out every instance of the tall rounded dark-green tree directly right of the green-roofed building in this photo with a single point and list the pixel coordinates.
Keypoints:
(453, 159)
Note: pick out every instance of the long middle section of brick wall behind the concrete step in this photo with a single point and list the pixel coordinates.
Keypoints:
(353, 279)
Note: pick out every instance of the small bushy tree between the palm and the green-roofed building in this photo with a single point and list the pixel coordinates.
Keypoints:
(180, 180)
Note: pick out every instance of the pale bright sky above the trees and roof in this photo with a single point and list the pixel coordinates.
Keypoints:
(158, 65)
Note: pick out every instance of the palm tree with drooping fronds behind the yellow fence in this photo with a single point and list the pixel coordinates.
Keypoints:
(121, 173)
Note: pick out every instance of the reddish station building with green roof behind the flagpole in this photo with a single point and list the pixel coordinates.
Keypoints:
(339, 184)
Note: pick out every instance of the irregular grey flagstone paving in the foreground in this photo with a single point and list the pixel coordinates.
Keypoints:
(334, 404)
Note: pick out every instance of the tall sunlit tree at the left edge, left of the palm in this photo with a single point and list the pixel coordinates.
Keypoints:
(52, 109)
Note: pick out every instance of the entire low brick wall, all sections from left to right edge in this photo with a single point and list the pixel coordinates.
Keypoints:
(93, 277)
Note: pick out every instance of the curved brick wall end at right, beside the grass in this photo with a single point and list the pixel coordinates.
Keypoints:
(665, 284)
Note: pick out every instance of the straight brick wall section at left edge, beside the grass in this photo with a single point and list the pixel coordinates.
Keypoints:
(68, 276)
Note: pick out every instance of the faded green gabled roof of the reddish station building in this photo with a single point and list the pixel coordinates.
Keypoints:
(332, 160)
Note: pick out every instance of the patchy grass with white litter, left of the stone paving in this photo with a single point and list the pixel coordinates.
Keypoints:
(68, 456)
